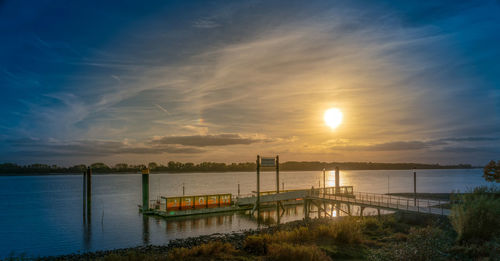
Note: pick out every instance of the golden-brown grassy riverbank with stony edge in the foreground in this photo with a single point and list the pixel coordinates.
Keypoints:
(343, 238)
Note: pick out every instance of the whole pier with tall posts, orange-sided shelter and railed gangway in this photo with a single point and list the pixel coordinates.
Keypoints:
(337, 197)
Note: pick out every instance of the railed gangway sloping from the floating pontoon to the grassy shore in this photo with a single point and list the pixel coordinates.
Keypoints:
(385, 201)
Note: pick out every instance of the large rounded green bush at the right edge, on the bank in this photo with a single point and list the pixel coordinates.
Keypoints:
(476, 215)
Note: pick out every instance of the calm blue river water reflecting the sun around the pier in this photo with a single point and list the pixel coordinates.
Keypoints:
(42, 215)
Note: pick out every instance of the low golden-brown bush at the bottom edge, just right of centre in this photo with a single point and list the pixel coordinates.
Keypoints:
(288, 252)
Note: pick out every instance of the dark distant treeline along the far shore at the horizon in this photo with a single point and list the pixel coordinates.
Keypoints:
(172, 166)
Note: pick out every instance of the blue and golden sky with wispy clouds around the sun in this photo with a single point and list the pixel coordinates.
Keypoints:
(223, 81)
